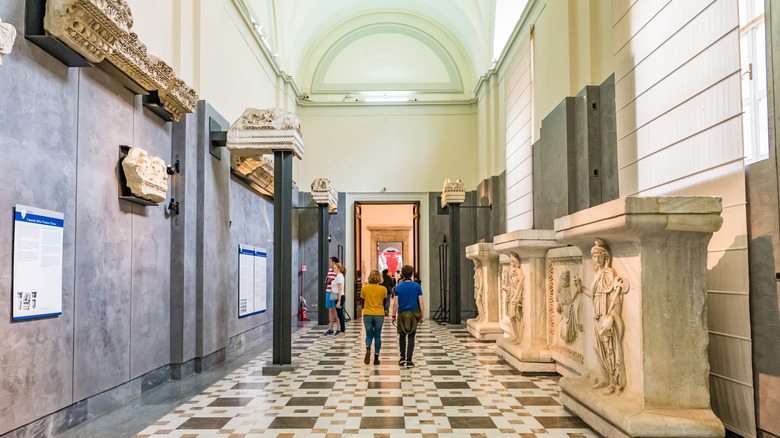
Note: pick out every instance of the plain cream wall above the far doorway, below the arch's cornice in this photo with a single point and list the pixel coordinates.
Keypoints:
(400, 148)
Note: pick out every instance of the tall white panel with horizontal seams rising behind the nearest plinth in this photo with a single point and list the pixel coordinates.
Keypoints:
(679, 133)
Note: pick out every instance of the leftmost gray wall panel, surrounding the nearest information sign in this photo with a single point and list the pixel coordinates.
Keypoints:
(38, 169)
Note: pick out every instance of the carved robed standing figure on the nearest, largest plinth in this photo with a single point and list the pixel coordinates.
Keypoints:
(607, 293)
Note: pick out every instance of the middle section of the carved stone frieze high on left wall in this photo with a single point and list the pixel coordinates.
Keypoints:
(130, 56)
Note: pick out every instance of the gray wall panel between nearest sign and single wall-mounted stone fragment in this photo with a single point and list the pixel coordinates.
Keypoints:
(103, 238)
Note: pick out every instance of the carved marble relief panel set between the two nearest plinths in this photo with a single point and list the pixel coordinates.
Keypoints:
(566, 309)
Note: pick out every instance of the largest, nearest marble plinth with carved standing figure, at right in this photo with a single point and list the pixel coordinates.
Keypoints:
(645, 328)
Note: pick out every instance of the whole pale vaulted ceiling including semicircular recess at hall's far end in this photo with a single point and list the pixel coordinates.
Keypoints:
(339, 48)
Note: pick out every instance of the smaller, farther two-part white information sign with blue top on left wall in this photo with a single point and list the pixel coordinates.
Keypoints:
(252, 268)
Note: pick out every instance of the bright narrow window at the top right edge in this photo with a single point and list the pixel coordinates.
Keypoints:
(752, 36)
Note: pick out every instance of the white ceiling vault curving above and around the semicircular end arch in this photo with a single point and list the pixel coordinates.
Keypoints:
(462, 27)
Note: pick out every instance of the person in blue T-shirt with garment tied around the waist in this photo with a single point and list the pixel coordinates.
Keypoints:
(408, 310)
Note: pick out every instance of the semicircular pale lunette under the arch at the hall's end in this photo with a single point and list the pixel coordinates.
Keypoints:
(389, 57)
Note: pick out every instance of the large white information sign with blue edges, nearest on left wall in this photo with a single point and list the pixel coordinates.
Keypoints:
(37, 280)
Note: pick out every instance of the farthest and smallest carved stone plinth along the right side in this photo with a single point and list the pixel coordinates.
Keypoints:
(485, 326)
